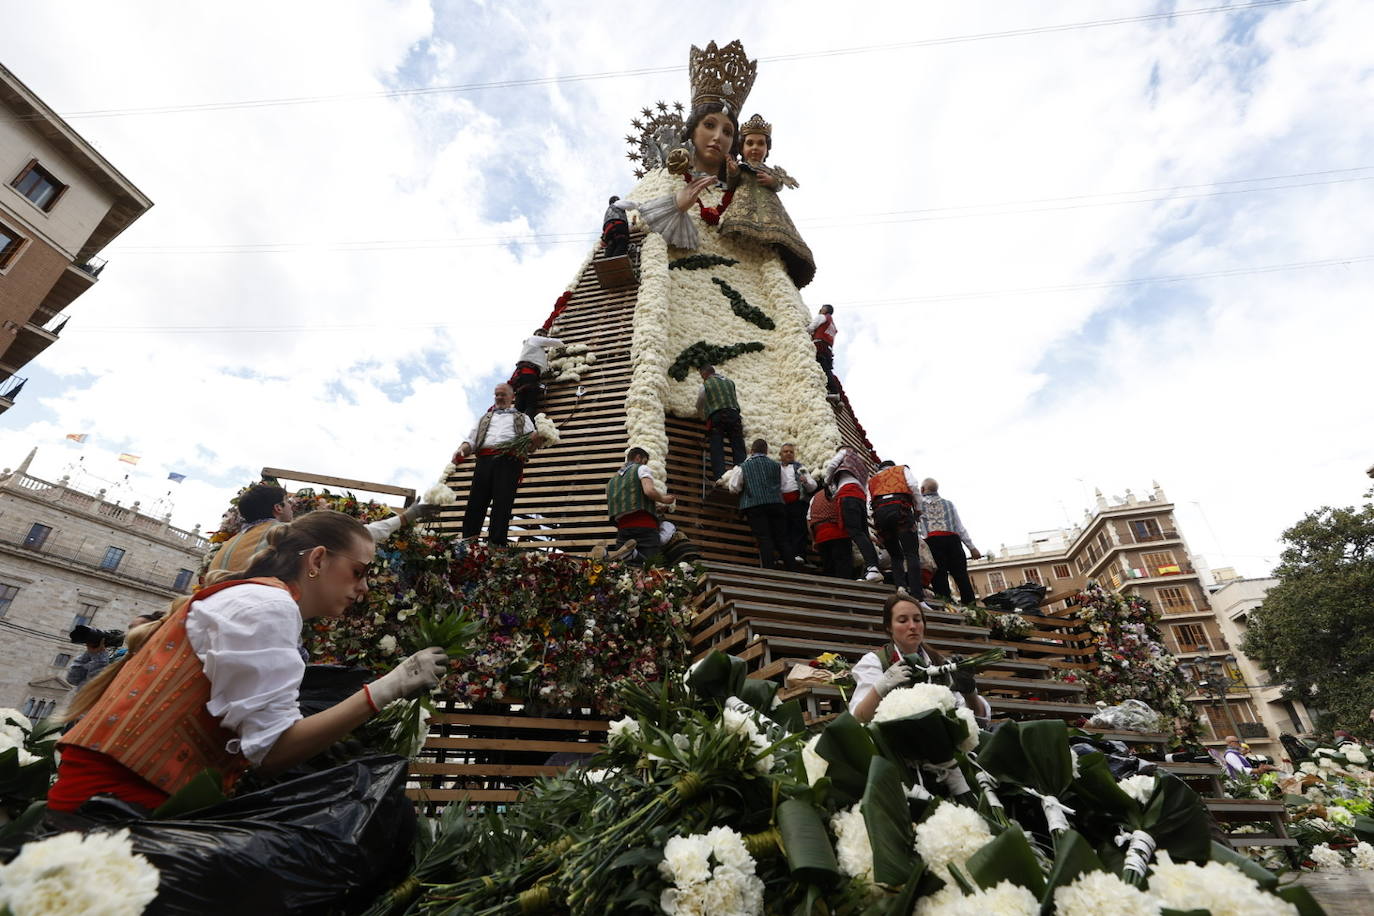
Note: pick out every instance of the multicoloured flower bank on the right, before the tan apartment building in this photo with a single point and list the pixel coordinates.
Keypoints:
(1131, 660)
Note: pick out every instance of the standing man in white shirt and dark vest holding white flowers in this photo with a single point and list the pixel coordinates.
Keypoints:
(498, 469)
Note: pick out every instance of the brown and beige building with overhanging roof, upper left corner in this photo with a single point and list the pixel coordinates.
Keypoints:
(61, 205)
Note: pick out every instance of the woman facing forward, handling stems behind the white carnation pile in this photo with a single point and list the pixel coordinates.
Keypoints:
(883, 672)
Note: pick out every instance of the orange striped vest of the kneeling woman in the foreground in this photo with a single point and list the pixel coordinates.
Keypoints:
(152, 718)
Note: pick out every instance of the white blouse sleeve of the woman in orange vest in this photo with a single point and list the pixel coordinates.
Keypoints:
(247, 638)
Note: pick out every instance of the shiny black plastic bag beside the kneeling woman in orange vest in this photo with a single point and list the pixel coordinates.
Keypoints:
(328, 843)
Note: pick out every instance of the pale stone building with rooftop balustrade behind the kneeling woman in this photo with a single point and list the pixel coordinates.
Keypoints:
(71, 558)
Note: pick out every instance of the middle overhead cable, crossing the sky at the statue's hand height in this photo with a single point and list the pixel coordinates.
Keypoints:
(961, 212)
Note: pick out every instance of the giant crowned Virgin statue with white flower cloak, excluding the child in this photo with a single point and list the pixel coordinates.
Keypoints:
(712, 299)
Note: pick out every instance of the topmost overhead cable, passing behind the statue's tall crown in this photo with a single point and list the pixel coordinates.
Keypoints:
(640, 72)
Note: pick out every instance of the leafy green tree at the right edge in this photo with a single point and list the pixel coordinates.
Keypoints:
(1316, 630)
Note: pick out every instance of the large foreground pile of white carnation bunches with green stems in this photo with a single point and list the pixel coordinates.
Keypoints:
(708, 801)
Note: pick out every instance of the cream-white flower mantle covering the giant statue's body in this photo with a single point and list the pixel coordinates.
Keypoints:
(782, 389)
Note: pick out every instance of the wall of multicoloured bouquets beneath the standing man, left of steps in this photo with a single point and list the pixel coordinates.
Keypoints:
(549, 627)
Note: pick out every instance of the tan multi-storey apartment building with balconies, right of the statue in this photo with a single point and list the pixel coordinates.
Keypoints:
(1134, 546)
